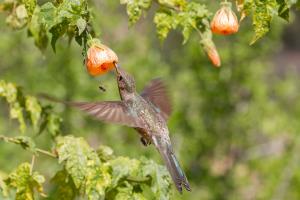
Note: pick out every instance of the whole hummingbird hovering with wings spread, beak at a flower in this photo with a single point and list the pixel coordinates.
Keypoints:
(147, 113)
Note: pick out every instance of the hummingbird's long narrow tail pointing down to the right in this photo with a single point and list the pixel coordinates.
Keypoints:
(177, 174)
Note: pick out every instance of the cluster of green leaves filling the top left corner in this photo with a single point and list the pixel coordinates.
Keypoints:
(50, 20)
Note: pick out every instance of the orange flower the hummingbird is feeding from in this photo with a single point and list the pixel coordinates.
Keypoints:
(100, 59)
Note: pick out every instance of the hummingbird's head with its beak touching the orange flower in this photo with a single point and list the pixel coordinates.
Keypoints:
(126, 82)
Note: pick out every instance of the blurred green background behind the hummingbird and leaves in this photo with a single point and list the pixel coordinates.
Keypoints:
(235, 129)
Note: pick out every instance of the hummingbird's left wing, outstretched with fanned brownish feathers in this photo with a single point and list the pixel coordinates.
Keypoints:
(109, 111)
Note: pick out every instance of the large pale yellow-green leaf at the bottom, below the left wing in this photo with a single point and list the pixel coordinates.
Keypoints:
(84, 166)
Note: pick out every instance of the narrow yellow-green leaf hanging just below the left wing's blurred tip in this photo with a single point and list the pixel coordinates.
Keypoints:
(34, 109)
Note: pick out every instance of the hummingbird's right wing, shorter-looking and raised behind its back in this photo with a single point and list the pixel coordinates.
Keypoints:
(156, 93)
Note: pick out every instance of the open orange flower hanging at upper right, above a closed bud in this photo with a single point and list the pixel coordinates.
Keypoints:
(225, 21)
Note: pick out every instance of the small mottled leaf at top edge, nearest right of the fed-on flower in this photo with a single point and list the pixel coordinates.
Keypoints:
(135, 8)
